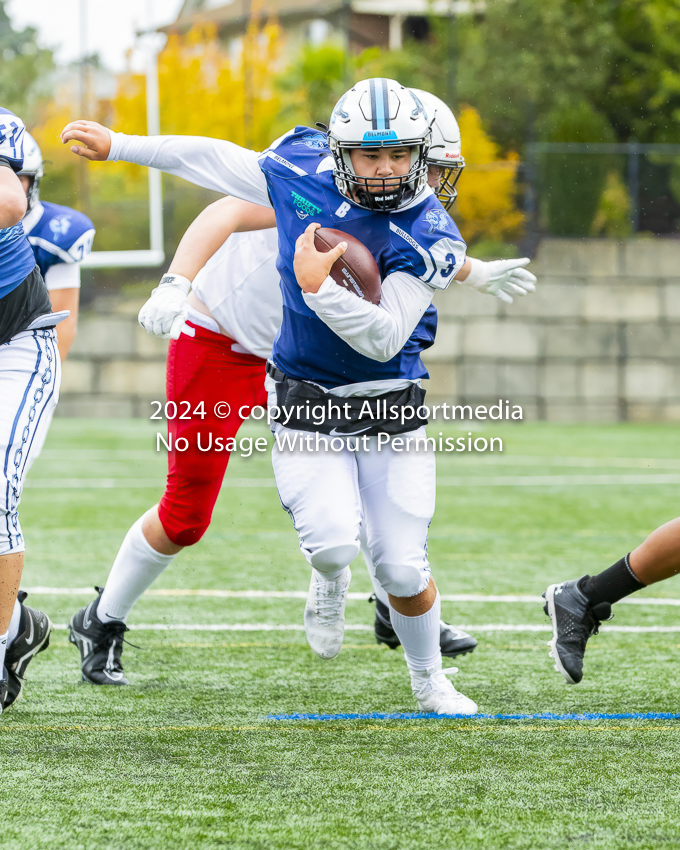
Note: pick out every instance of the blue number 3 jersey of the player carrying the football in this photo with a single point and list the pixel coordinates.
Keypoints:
(420, 240)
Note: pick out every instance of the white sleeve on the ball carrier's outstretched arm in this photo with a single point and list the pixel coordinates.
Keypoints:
(210, 163)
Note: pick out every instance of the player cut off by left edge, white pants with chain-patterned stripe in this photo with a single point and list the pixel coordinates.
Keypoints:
(30, 372)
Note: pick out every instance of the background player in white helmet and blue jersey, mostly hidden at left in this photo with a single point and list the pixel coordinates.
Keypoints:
(61, 238)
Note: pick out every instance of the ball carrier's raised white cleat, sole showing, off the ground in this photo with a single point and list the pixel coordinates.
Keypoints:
(325, 613)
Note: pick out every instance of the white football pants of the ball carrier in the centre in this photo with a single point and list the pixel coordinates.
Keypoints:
(329, 495)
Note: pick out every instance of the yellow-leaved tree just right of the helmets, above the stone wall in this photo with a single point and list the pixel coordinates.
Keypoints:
(486, 207)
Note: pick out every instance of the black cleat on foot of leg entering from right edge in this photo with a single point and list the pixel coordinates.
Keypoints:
(574, 620)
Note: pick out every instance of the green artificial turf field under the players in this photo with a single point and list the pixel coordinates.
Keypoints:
(186, 757)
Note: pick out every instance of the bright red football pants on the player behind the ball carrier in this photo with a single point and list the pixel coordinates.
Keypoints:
(203, 368)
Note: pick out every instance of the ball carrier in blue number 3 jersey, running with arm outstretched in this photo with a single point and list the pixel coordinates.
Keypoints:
(368, 177)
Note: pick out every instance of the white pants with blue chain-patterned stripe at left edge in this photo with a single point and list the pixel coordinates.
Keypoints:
(30, 374)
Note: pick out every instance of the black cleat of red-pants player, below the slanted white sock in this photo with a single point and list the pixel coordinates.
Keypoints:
(100, 645)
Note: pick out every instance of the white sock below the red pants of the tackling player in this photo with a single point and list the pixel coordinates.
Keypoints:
(136, 567)
